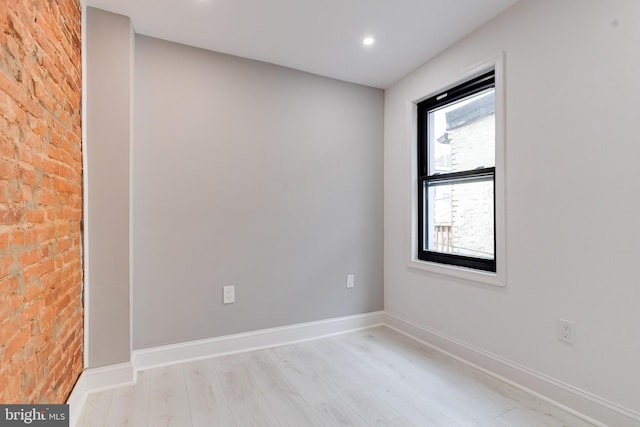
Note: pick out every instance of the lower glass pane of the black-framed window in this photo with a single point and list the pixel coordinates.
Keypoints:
(459, 218)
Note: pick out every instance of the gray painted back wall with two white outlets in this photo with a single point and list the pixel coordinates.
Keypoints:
(252, 175)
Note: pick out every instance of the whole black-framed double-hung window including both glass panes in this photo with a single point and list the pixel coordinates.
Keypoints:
(457, 175)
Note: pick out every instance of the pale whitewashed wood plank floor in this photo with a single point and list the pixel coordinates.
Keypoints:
(374, 377)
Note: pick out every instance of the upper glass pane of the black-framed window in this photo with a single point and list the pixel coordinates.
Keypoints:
(462, 134)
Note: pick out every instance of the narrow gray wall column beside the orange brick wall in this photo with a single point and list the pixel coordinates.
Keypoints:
(109, 44)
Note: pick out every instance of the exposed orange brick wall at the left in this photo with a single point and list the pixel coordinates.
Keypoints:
(40, 200)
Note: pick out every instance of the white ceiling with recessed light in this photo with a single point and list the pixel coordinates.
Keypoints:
(322, 36)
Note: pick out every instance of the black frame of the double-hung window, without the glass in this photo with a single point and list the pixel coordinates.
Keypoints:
(441, 99)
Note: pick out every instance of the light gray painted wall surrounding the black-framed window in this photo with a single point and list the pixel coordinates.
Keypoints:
(572, 126)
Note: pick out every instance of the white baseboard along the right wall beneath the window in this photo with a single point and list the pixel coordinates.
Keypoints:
(582, 404)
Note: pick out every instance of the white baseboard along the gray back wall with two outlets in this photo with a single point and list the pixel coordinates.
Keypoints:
(249, 341)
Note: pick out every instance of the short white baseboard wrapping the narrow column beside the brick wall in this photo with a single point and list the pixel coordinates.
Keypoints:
(94, 380)
